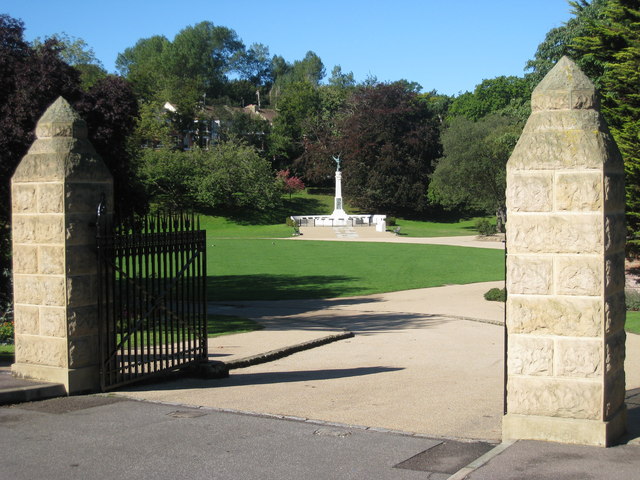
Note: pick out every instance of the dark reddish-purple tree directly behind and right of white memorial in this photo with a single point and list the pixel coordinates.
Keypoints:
(388, 141)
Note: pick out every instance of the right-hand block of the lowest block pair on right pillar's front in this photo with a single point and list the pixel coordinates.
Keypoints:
(578, 357)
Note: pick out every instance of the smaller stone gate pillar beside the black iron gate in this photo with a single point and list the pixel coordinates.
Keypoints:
(55, 191)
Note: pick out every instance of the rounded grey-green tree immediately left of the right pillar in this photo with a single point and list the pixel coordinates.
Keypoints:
(472, 173)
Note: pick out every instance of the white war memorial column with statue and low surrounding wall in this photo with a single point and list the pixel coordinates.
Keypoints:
(340, 218)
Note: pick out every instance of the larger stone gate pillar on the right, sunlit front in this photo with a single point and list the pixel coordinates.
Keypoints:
(565, 270)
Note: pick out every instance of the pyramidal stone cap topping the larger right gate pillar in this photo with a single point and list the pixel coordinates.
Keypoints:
(565, 87)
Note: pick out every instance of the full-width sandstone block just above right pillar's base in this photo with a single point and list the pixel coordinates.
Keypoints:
(552, 397)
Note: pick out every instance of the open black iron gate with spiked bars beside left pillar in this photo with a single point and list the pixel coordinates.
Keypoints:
(152, 296)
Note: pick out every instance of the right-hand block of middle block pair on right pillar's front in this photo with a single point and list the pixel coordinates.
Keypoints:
(579, 275)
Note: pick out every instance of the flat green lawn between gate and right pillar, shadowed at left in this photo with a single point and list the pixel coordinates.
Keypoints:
(254, 269)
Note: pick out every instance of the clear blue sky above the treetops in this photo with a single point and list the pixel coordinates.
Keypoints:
(449, 46)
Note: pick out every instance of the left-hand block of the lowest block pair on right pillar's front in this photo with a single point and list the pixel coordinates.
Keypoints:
(530, 355)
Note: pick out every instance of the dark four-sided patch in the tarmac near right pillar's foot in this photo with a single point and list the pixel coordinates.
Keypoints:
(446, 457)
